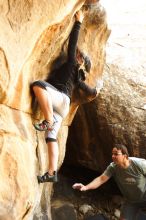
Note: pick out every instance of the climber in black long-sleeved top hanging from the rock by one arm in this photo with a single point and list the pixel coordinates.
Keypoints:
(54, 94)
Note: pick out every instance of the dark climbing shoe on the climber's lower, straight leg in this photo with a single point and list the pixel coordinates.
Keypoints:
(47, 178)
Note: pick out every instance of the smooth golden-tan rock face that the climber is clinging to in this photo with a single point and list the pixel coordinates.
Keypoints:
(32, 35)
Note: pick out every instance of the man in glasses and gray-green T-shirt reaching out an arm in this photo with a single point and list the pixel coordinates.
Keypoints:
(130, 176)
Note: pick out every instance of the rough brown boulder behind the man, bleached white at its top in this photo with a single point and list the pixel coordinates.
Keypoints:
(118, 115)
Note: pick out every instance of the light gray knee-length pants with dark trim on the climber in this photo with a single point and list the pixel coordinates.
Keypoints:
(60, 102)
